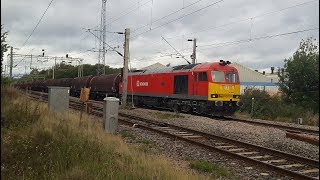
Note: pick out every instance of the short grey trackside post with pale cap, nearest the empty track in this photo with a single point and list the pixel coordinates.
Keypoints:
(110, 114)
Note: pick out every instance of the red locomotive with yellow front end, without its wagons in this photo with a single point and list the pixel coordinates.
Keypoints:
(207, 88)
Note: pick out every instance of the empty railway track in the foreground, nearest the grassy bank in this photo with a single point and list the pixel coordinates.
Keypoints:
(283, 163)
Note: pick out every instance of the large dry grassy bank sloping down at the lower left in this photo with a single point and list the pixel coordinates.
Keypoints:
(40, 144)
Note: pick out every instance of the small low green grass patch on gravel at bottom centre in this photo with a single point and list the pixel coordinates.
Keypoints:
(213, 169)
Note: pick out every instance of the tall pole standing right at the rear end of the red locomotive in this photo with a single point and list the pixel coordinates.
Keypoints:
(125, 67)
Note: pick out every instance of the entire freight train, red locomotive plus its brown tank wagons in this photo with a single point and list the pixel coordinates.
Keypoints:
(206, 88)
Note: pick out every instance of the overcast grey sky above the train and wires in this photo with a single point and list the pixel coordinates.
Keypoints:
(223, 29)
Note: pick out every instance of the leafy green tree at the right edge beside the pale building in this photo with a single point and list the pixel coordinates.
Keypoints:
(300, 80)
